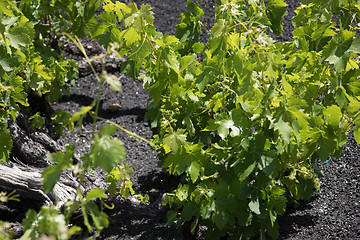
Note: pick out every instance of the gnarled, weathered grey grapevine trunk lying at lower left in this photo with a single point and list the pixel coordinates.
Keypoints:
(29, 158)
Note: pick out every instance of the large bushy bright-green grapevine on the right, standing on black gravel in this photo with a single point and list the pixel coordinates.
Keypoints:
(245, 126)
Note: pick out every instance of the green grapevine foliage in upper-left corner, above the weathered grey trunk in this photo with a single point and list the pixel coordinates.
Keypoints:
(28, 65)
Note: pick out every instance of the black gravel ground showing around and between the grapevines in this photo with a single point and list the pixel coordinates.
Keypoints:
(333, 213)
